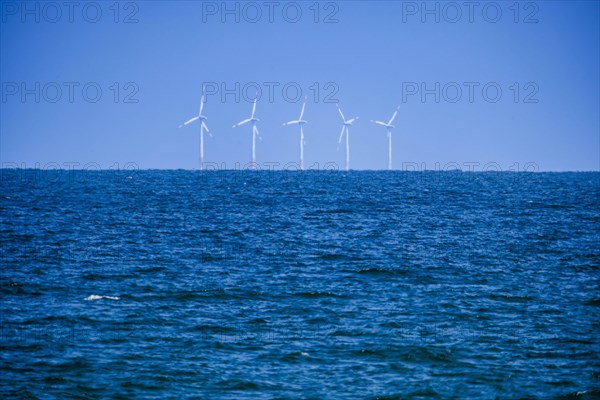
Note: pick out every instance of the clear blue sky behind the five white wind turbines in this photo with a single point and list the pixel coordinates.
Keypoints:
(150, 58)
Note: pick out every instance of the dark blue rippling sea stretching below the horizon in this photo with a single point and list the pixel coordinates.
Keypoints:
(252, 285)
